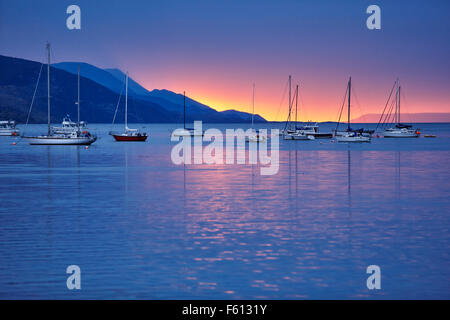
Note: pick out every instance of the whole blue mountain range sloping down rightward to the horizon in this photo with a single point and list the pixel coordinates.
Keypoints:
(18, 78)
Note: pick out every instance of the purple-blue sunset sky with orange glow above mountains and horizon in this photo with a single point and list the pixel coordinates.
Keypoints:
(216, 49)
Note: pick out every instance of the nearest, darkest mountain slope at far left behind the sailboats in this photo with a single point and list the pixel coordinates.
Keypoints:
(18, 80)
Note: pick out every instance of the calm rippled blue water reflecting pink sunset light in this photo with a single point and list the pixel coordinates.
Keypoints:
(141, 227)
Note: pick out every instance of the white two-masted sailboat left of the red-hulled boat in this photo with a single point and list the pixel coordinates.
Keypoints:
(75, 137)
